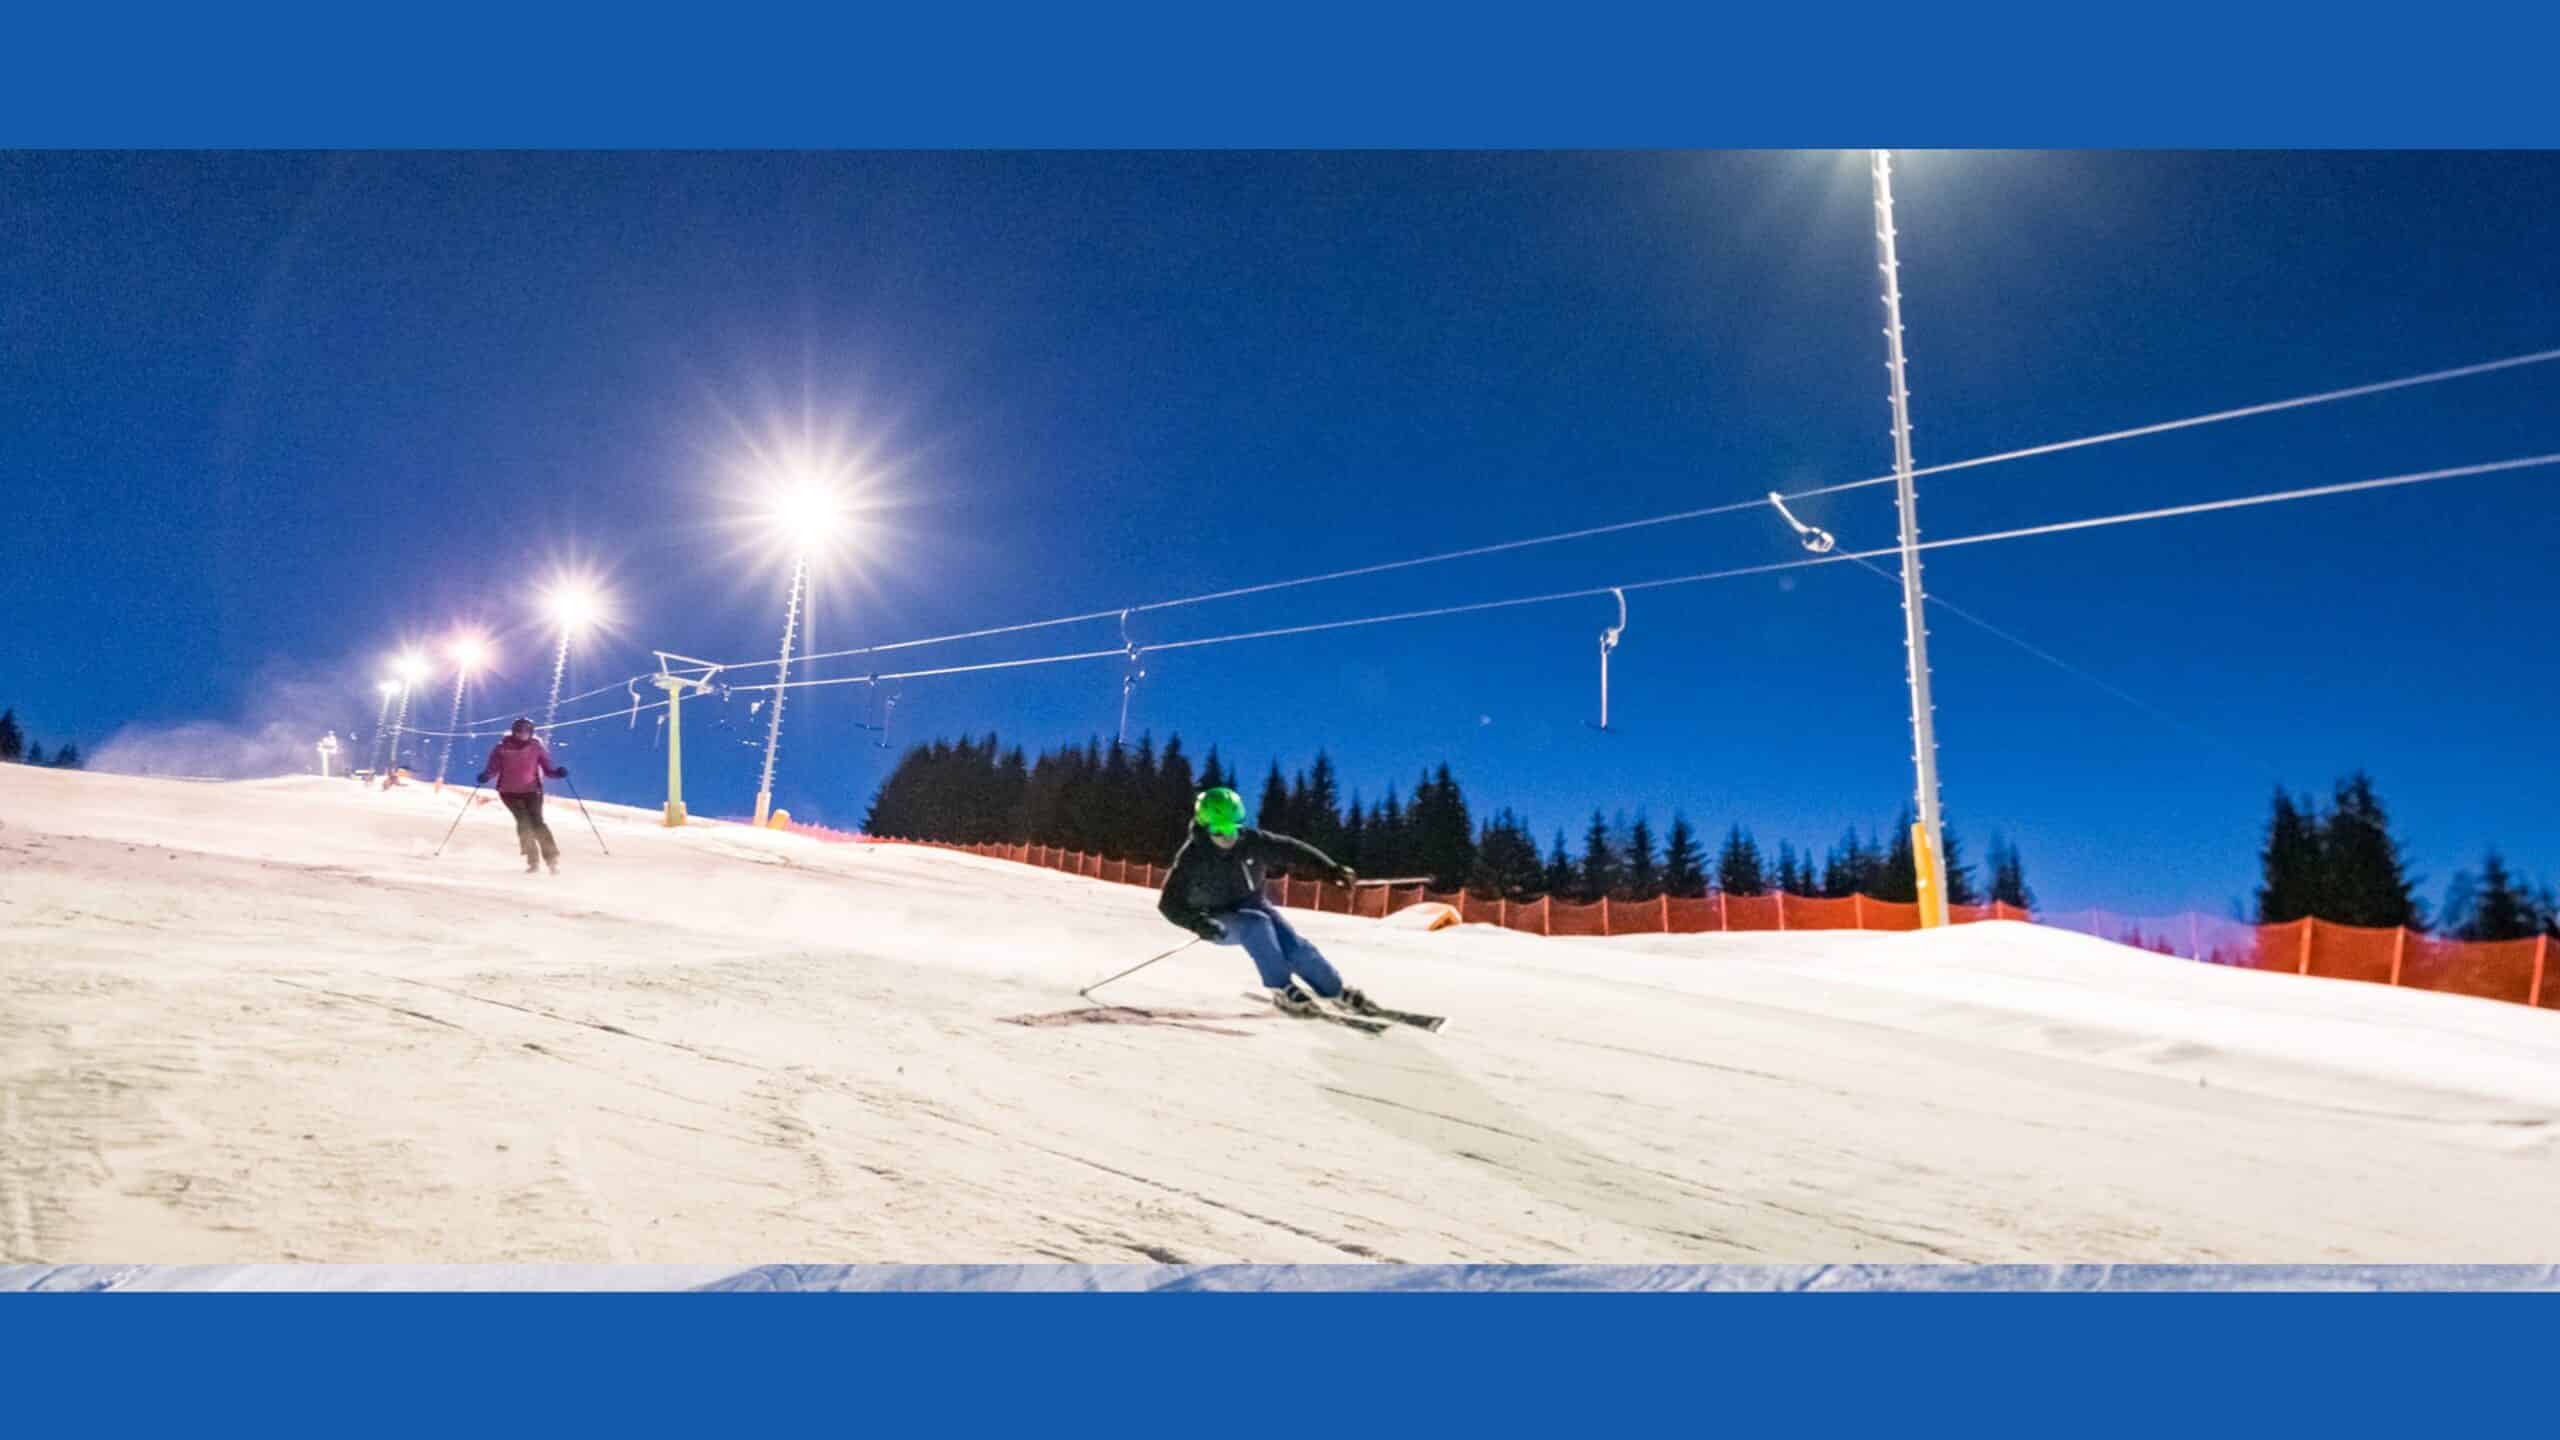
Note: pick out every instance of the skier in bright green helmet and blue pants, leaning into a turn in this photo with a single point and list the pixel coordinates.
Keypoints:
(1217, 893)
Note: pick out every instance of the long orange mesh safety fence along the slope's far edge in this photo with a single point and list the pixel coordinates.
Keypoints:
(2495, 970)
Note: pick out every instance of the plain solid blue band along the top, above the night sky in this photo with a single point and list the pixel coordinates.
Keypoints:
(1304, 76)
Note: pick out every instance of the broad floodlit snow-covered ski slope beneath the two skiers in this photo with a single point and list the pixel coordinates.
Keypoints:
(257, 1024)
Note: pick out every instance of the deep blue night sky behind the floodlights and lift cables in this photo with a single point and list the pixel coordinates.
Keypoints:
(270, 416)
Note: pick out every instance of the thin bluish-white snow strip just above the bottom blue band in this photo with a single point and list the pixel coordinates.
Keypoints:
(1286, 1277)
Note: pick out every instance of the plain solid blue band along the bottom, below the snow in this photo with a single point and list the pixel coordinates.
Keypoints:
(1568, 1364)
